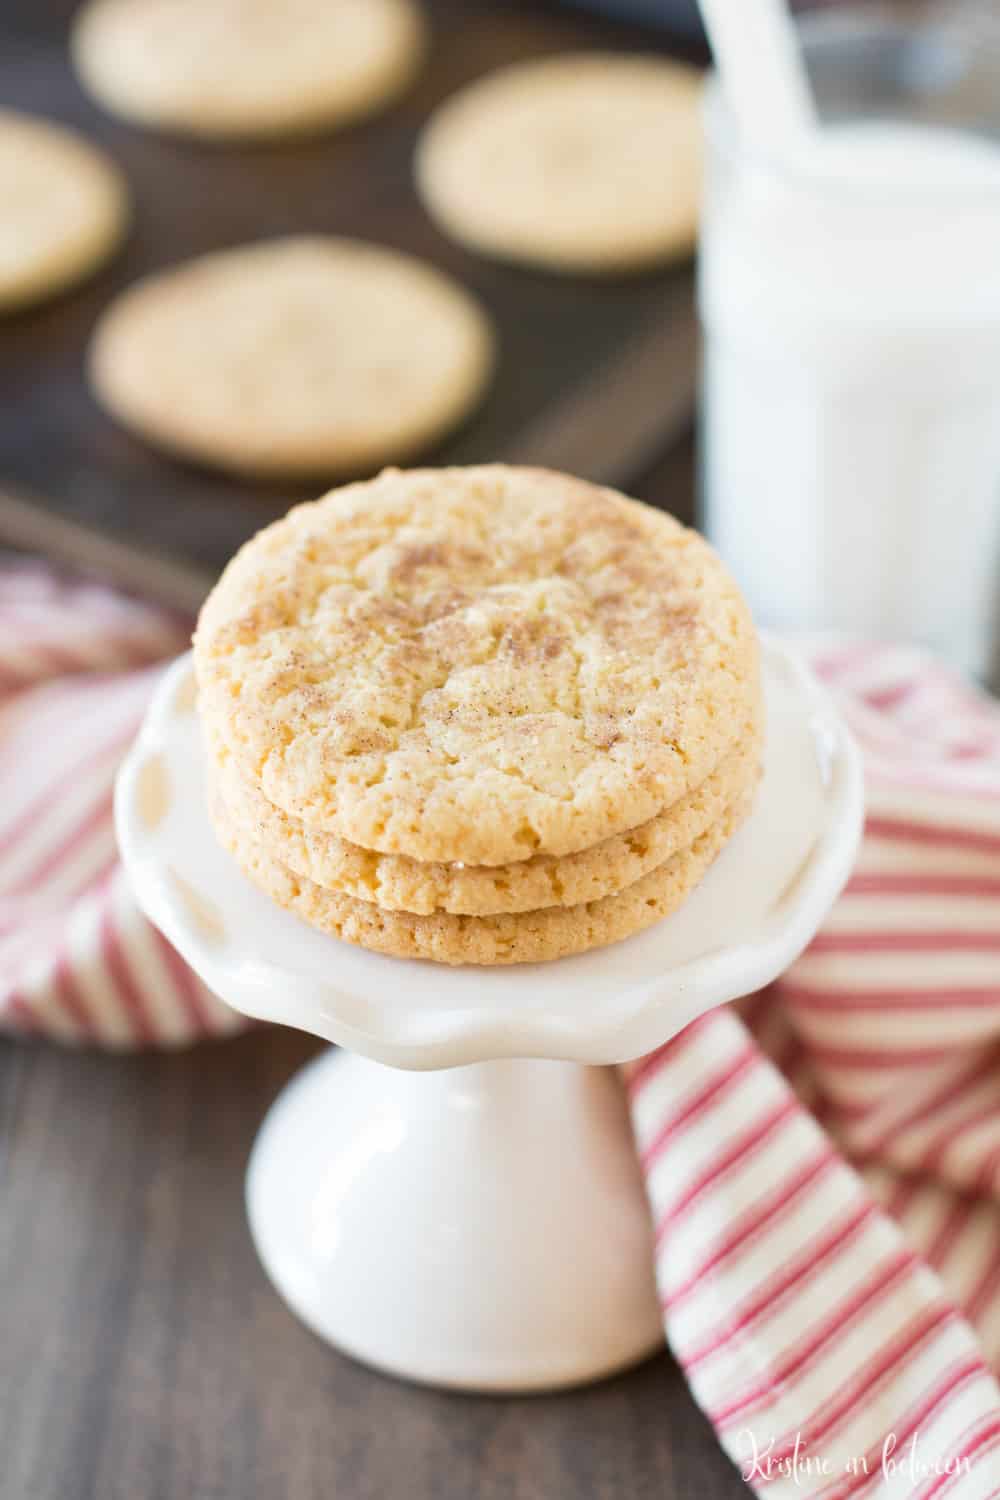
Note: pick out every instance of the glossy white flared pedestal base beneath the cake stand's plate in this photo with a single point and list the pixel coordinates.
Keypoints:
(482, 1228)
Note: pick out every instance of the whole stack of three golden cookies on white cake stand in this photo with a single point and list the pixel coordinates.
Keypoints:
(479, 716)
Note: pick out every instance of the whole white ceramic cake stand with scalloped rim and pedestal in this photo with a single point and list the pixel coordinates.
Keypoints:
(485, 1225)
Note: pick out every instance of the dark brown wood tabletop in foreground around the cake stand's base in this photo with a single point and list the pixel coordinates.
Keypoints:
(145, 1355)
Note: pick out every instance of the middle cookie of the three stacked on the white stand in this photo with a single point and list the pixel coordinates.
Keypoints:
(397, 883)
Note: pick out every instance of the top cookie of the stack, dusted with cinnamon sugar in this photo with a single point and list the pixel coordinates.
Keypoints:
(478, 664)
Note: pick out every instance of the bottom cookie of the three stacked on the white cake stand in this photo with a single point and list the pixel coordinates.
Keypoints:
(518, 938)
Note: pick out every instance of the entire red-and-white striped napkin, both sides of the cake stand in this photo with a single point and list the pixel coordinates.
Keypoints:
(822, 1162)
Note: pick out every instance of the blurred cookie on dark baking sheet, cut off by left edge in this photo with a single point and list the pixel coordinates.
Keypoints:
(65, 208)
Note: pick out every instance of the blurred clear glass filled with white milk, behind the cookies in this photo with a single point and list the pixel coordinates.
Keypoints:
(851, 301)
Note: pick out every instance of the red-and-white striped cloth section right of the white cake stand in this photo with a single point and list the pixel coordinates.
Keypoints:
(824, 1313)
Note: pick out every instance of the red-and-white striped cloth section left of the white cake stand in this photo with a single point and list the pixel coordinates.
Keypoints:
(77, 961)
